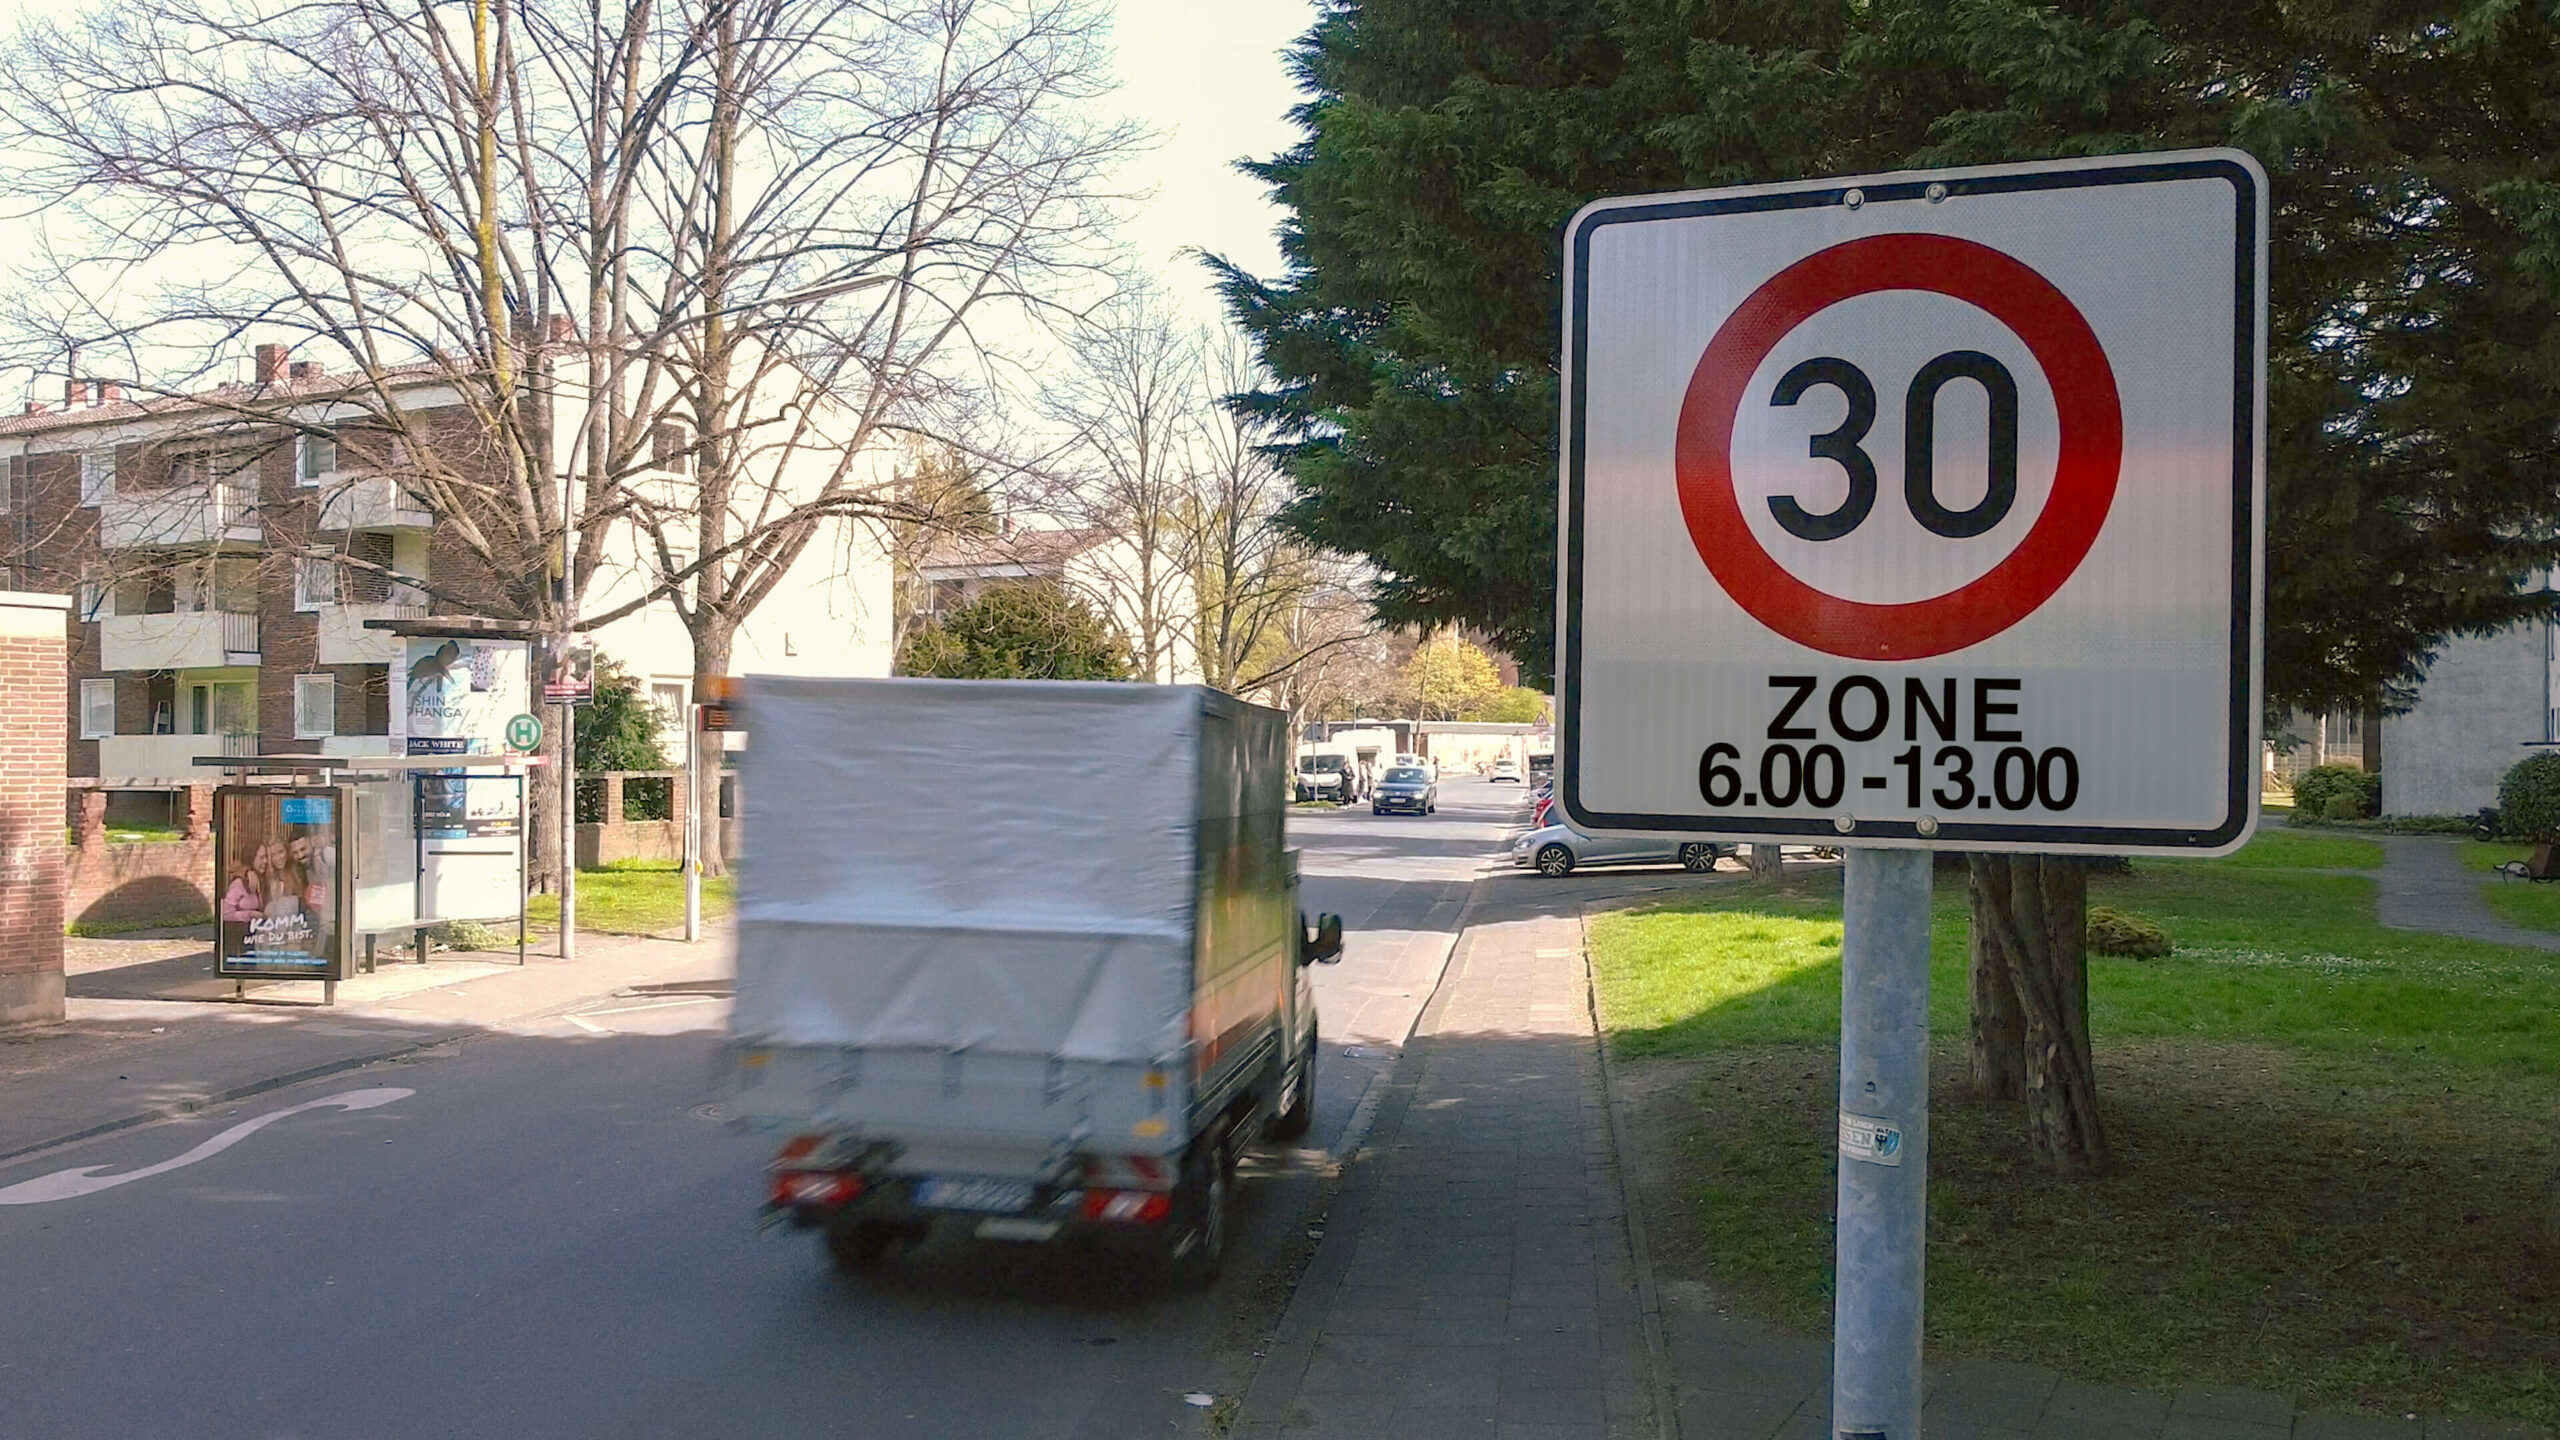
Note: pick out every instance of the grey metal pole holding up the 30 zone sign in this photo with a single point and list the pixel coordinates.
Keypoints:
(1875, 1372)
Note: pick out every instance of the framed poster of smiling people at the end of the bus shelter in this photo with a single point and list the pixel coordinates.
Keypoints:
(278, 867)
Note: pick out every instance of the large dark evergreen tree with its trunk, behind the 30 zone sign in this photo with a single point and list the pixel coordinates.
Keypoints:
(2415, 311)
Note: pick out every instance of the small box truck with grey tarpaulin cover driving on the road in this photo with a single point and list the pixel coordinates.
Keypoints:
(1018, 957)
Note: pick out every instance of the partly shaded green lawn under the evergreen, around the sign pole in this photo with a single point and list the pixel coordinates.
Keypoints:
(2333, 1141)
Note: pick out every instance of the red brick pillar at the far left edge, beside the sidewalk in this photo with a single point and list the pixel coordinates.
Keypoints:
(32, 865)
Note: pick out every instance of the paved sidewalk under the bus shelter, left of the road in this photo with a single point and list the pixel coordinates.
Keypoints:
(129, 1062)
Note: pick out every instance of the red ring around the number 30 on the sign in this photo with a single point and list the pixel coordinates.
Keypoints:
(2093, 447)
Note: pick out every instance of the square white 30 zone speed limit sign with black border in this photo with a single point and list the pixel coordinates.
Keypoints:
(1921, 509)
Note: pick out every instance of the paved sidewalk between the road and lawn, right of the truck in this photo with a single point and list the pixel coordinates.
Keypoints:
(1476, 1277)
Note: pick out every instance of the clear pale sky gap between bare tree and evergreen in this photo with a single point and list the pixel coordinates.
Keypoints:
(1210, 81)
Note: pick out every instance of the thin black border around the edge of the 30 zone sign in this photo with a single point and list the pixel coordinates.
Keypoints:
(1970, 837)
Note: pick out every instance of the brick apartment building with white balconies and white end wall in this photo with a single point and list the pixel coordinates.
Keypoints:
(224, 573)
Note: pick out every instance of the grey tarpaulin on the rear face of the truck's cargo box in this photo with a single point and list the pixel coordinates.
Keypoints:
(1005, 867)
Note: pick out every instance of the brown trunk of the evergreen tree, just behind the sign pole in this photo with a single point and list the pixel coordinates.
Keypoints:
(2031, 916)
